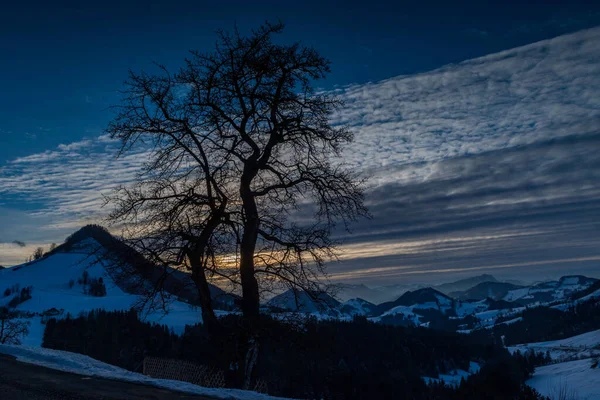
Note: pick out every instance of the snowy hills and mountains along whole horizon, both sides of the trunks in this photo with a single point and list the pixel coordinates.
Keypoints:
(465, 305)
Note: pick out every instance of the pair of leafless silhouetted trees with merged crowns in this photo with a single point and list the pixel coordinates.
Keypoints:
(242, 151)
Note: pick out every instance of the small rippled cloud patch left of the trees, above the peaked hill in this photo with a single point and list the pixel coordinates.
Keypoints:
(67, 183)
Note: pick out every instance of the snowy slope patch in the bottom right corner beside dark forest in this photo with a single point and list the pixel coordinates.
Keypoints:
(576, 378)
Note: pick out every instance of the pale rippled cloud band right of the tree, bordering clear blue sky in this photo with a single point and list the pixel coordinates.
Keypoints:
(513, 98)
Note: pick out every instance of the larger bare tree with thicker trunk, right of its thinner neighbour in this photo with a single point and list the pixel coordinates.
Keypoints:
(263, 113)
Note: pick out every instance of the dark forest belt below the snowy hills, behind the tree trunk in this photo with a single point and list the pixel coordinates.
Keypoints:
(318, 359)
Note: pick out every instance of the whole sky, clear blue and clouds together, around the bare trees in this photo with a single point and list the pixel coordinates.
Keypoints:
(481, 153)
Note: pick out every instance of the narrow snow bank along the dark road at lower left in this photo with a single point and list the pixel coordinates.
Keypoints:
(84, 365)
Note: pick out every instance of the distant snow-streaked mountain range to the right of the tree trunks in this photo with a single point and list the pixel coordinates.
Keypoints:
(483, 302)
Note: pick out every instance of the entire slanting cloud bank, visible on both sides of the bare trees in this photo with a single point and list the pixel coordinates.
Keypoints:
(490, 164)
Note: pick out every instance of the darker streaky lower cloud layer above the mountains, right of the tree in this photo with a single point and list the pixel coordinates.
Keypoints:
(534, 205)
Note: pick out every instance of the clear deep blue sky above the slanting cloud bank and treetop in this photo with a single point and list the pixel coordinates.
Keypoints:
(63, 62)
